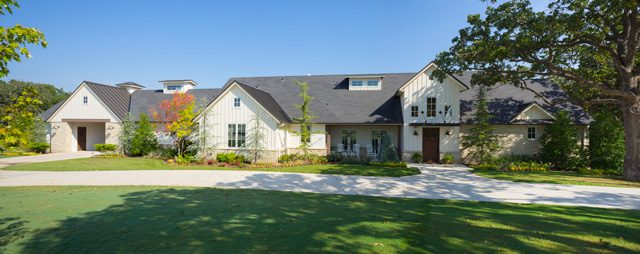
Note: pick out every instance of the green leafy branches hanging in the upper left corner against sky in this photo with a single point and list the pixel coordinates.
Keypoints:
(14, 40)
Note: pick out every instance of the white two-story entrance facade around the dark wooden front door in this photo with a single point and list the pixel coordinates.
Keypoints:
(415, 93)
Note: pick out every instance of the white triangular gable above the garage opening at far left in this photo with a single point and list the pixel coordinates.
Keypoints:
(74, 107)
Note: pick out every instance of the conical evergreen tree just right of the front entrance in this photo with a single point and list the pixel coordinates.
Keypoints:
(481, 142)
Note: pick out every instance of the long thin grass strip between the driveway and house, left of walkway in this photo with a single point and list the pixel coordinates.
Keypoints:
(91, 164)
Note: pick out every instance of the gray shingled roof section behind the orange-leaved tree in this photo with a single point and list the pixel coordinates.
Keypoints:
(147, 101)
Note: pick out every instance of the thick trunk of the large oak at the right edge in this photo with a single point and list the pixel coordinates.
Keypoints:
(632, 142)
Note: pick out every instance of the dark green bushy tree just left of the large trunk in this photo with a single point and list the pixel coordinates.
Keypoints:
(606, 142)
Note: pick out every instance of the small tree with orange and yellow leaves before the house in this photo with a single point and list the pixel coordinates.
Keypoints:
(176, 117)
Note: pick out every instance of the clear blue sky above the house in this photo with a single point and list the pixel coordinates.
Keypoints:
(211, 41)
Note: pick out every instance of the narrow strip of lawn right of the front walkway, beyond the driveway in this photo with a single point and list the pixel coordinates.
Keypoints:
(557, 177)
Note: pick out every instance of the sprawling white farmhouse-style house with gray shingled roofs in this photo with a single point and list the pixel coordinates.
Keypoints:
(419, 114)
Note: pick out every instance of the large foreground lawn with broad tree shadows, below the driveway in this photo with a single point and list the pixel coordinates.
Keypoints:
(203, 220)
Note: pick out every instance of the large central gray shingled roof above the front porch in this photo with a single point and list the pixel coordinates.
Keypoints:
(333, 102)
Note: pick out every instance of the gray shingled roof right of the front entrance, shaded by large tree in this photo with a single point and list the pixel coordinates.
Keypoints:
(507, 101)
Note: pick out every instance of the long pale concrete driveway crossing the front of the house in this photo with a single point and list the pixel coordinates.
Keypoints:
(435, 182)
